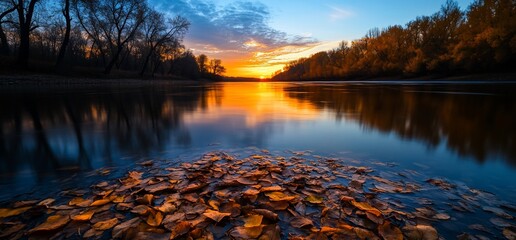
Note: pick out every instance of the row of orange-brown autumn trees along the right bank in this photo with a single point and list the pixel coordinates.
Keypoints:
(479, 40)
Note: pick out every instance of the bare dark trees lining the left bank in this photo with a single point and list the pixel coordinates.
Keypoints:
(74, 35)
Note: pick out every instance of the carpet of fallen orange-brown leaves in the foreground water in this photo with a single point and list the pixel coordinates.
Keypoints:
(222, 197)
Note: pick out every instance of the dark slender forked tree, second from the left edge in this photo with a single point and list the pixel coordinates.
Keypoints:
(25, 10)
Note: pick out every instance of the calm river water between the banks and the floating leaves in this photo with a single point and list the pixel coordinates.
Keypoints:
(463, 132)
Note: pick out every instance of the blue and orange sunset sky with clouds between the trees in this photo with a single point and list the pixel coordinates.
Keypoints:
(256, 38)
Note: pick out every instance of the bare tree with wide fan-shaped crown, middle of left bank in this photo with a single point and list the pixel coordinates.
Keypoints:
(111, 23)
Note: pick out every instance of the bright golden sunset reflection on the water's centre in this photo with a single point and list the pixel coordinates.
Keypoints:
(256, 102)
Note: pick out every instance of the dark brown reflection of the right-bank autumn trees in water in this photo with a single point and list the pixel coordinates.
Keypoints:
(479, 125)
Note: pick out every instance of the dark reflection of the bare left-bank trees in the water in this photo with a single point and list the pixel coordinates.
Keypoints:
(54, 130)
